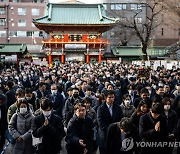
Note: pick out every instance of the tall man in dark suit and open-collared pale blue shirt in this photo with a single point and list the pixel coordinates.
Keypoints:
(109, 112)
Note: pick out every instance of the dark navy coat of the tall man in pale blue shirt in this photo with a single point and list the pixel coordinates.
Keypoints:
(104, 119)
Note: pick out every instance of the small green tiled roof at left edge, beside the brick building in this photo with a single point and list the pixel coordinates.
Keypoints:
(13, 48)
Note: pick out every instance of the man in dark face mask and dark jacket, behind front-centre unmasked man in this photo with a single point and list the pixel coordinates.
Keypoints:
(68, 110)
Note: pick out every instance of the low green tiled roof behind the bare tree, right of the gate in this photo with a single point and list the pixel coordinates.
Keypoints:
(136, 51)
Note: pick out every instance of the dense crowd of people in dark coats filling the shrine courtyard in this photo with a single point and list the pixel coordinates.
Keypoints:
(95, 106)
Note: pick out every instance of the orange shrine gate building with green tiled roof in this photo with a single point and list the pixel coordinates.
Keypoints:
(74, 31)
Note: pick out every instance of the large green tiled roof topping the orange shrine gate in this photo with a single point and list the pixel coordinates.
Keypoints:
(79, 14)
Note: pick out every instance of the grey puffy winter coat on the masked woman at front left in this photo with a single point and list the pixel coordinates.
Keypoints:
(20, 126)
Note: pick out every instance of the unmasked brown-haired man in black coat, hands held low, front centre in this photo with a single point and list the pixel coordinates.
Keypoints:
(80, 132)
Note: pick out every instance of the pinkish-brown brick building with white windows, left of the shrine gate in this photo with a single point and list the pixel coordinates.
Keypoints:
(16, 23)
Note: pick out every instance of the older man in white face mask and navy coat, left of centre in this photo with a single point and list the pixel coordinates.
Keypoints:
(57, 100)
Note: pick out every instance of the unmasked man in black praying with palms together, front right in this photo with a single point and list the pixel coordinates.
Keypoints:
(153, 128)
